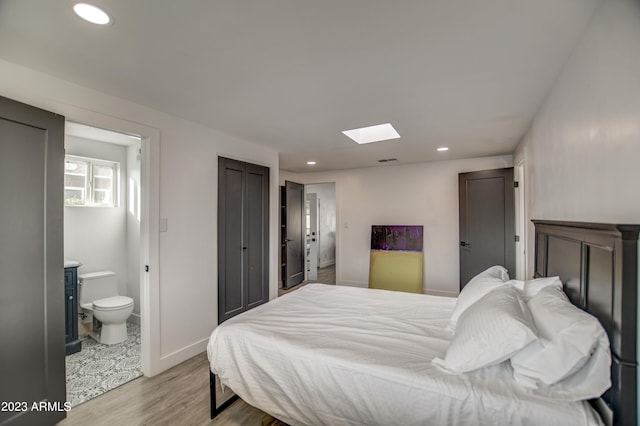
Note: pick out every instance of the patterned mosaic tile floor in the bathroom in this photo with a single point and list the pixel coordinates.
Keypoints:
(99, 368)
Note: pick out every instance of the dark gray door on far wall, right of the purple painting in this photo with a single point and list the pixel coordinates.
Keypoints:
(487, 222)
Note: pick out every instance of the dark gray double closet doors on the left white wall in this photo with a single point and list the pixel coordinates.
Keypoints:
(243, 237)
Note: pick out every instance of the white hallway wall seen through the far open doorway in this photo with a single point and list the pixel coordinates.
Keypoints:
(326, 194)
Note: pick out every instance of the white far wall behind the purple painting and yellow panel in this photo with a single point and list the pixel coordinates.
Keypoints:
(416, 194)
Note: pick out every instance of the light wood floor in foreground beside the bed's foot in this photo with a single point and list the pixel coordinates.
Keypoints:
(178, 396)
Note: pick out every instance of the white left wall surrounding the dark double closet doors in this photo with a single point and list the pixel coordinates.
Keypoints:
(184, 298)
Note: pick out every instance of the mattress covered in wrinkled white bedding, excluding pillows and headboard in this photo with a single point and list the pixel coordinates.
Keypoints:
(337, 355)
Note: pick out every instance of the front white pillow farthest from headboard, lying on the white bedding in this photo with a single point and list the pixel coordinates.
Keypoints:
(489, 332)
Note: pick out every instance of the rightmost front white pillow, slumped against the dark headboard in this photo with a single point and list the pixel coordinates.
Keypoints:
(568, 337)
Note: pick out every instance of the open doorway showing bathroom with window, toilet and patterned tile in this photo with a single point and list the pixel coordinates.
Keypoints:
(102, 239)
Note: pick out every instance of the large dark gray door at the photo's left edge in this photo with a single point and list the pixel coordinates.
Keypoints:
(32, 365)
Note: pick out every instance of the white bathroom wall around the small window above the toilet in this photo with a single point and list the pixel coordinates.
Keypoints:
(96, 236)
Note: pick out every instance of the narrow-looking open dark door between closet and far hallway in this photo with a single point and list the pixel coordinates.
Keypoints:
(294, 269)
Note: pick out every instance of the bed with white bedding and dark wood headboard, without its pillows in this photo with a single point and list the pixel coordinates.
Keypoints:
(341, 355)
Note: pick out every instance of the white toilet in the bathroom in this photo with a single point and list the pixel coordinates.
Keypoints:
(99, 296)
